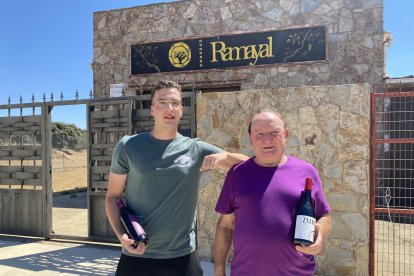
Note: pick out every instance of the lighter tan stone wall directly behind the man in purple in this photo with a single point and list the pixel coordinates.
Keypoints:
(329, 127)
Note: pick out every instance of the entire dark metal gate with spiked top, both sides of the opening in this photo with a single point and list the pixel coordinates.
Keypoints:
(25, 159)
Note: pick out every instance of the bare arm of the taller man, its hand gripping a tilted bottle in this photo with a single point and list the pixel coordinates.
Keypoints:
(116, 186)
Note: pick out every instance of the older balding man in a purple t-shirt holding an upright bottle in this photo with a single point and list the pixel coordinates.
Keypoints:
(258, 203)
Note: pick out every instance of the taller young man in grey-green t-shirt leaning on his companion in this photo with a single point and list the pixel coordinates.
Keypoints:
(160, 172)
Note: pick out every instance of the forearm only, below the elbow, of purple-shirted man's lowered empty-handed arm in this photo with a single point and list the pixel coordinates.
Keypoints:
(222, 245)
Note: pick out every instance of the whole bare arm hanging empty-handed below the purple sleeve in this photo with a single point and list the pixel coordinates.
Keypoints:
(222, 243)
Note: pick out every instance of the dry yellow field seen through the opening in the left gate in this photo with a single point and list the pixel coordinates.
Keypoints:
(69, 170)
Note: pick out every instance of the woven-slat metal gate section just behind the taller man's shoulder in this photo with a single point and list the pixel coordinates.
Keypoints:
(108, 121)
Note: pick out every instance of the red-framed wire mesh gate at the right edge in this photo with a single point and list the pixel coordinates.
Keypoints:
(392, 184)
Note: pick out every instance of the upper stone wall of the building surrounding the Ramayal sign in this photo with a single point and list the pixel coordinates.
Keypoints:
(354, 41)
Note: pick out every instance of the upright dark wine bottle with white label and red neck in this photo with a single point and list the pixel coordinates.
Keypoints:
(305, 217)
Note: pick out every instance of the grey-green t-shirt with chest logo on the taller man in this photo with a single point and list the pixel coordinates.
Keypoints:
(162, 186)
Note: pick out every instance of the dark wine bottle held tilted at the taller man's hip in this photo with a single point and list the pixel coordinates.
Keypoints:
(131, 224)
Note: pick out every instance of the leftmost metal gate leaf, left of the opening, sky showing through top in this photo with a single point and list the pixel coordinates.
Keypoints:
(25, 187)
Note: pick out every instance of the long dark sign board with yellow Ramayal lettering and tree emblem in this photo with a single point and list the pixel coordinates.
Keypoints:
(247, 49)
